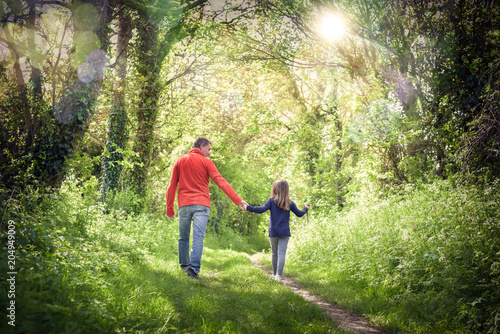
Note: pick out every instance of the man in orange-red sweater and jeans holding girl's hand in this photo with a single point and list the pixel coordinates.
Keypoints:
(190, 177)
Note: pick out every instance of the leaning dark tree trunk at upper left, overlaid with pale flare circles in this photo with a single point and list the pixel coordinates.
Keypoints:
(75, 107)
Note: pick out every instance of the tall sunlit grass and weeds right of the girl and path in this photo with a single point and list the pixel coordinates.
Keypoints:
(427, 261)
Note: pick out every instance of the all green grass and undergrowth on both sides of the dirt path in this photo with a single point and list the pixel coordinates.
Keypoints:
(427, 261)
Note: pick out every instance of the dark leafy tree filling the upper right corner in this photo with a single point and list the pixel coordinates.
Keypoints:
(441, 51)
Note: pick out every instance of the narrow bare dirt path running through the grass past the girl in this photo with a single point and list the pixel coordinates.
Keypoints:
(347, 321)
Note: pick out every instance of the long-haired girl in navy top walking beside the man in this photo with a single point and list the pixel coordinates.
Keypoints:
(280, 205)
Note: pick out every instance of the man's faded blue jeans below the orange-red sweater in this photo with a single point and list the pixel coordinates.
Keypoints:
(198, 214)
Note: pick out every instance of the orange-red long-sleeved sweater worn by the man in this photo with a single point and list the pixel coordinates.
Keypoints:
(191, 177)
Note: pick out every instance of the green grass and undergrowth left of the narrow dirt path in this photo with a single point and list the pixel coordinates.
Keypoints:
(119, 273)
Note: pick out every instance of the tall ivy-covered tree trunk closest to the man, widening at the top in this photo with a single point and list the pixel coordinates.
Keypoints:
(158, 30)
